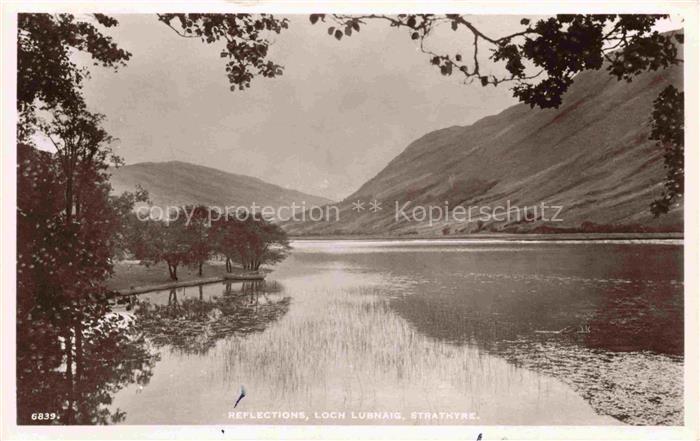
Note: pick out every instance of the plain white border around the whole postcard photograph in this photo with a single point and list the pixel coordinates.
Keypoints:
(687, 9)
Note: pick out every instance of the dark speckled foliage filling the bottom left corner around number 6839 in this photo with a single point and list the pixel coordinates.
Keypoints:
(60, 386)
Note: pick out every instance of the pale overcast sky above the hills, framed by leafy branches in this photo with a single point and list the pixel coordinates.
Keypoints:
(341, 111)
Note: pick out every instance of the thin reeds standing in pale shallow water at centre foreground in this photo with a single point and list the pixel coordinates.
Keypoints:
(344, 349)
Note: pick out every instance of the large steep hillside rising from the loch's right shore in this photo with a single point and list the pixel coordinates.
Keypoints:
(592, 156)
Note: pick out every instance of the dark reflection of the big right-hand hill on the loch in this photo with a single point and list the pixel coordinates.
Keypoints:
(605, 319)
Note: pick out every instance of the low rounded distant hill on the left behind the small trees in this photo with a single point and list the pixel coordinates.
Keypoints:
(178, 183)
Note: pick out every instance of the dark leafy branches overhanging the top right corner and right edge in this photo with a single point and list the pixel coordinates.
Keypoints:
(542, 59)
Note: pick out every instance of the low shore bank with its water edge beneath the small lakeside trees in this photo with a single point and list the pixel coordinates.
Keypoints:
(130, 277)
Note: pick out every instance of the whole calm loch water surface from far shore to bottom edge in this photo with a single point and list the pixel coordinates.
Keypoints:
(506, 333)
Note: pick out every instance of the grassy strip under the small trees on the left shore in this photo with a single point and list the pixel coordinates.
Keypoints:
(131, 274)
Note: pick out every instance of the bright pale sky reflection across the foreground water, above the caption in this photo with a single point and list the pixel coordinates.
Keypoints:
(341, 347)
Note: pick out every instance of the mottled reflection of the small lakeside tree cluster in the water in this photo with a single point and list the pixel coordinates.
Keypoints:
(193, 325)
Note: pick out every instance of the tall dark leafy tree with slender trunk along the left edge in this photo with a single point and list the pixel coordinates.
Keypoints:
(67, 228)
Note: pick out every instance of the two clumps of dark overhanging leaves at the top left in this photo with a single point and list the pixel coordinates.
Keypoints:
(48, 76)
